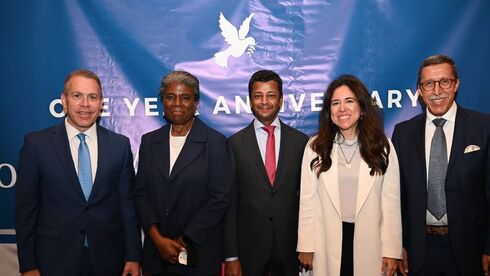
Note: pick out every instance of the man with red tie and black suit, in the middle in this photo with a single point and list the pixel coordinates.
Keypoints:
(261, 225)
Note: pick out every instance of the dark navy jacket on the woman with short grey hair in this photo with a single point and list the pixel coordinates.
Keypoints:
(192, 200)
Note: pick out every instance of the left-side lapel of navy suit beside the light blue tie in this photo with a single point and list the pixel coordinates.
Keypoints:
(61, 145)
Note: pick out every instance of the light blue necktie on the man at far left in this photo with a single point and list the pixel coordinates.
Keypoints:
(84, 166)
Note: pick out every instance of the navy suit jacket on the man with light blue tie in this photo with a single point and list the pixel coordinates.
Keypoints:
(52, 216)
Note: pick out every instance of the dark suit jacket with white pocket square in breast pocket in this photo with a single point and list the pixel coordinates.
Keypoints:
(467, 189)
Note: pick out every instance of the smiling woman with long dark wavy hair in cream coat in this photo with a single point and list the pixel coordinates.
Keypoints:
(349, 218)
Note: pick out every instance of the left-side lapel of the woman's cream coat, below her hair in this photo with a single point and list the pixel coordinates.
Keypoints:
(330, 180)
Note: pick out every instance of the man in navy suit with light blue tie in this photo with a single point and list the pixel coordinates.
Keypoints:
(74, 213)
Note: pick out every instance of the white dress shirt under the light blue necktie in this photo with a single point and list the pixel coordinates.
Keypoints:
(90, 139)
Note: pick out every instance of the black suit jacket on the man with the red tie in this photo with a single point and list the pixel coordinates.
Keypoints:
(260, 211)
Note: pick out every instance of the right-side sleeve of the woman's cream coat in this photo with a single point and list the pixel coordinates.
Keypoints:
(391, 225)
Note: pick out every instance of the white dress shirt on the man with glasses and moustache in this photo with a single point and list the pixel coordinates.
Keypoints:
(430, 128)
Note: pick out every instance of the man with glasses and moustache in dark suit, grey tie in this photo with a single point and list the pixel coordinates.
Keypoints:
(444, 157)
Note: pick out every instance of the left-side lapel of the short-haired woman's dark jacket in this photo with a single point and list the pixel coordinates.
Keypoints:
(160, 150)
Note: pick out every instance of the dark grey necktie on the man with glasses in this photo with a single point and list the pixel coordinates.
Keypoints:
(436, 196)
